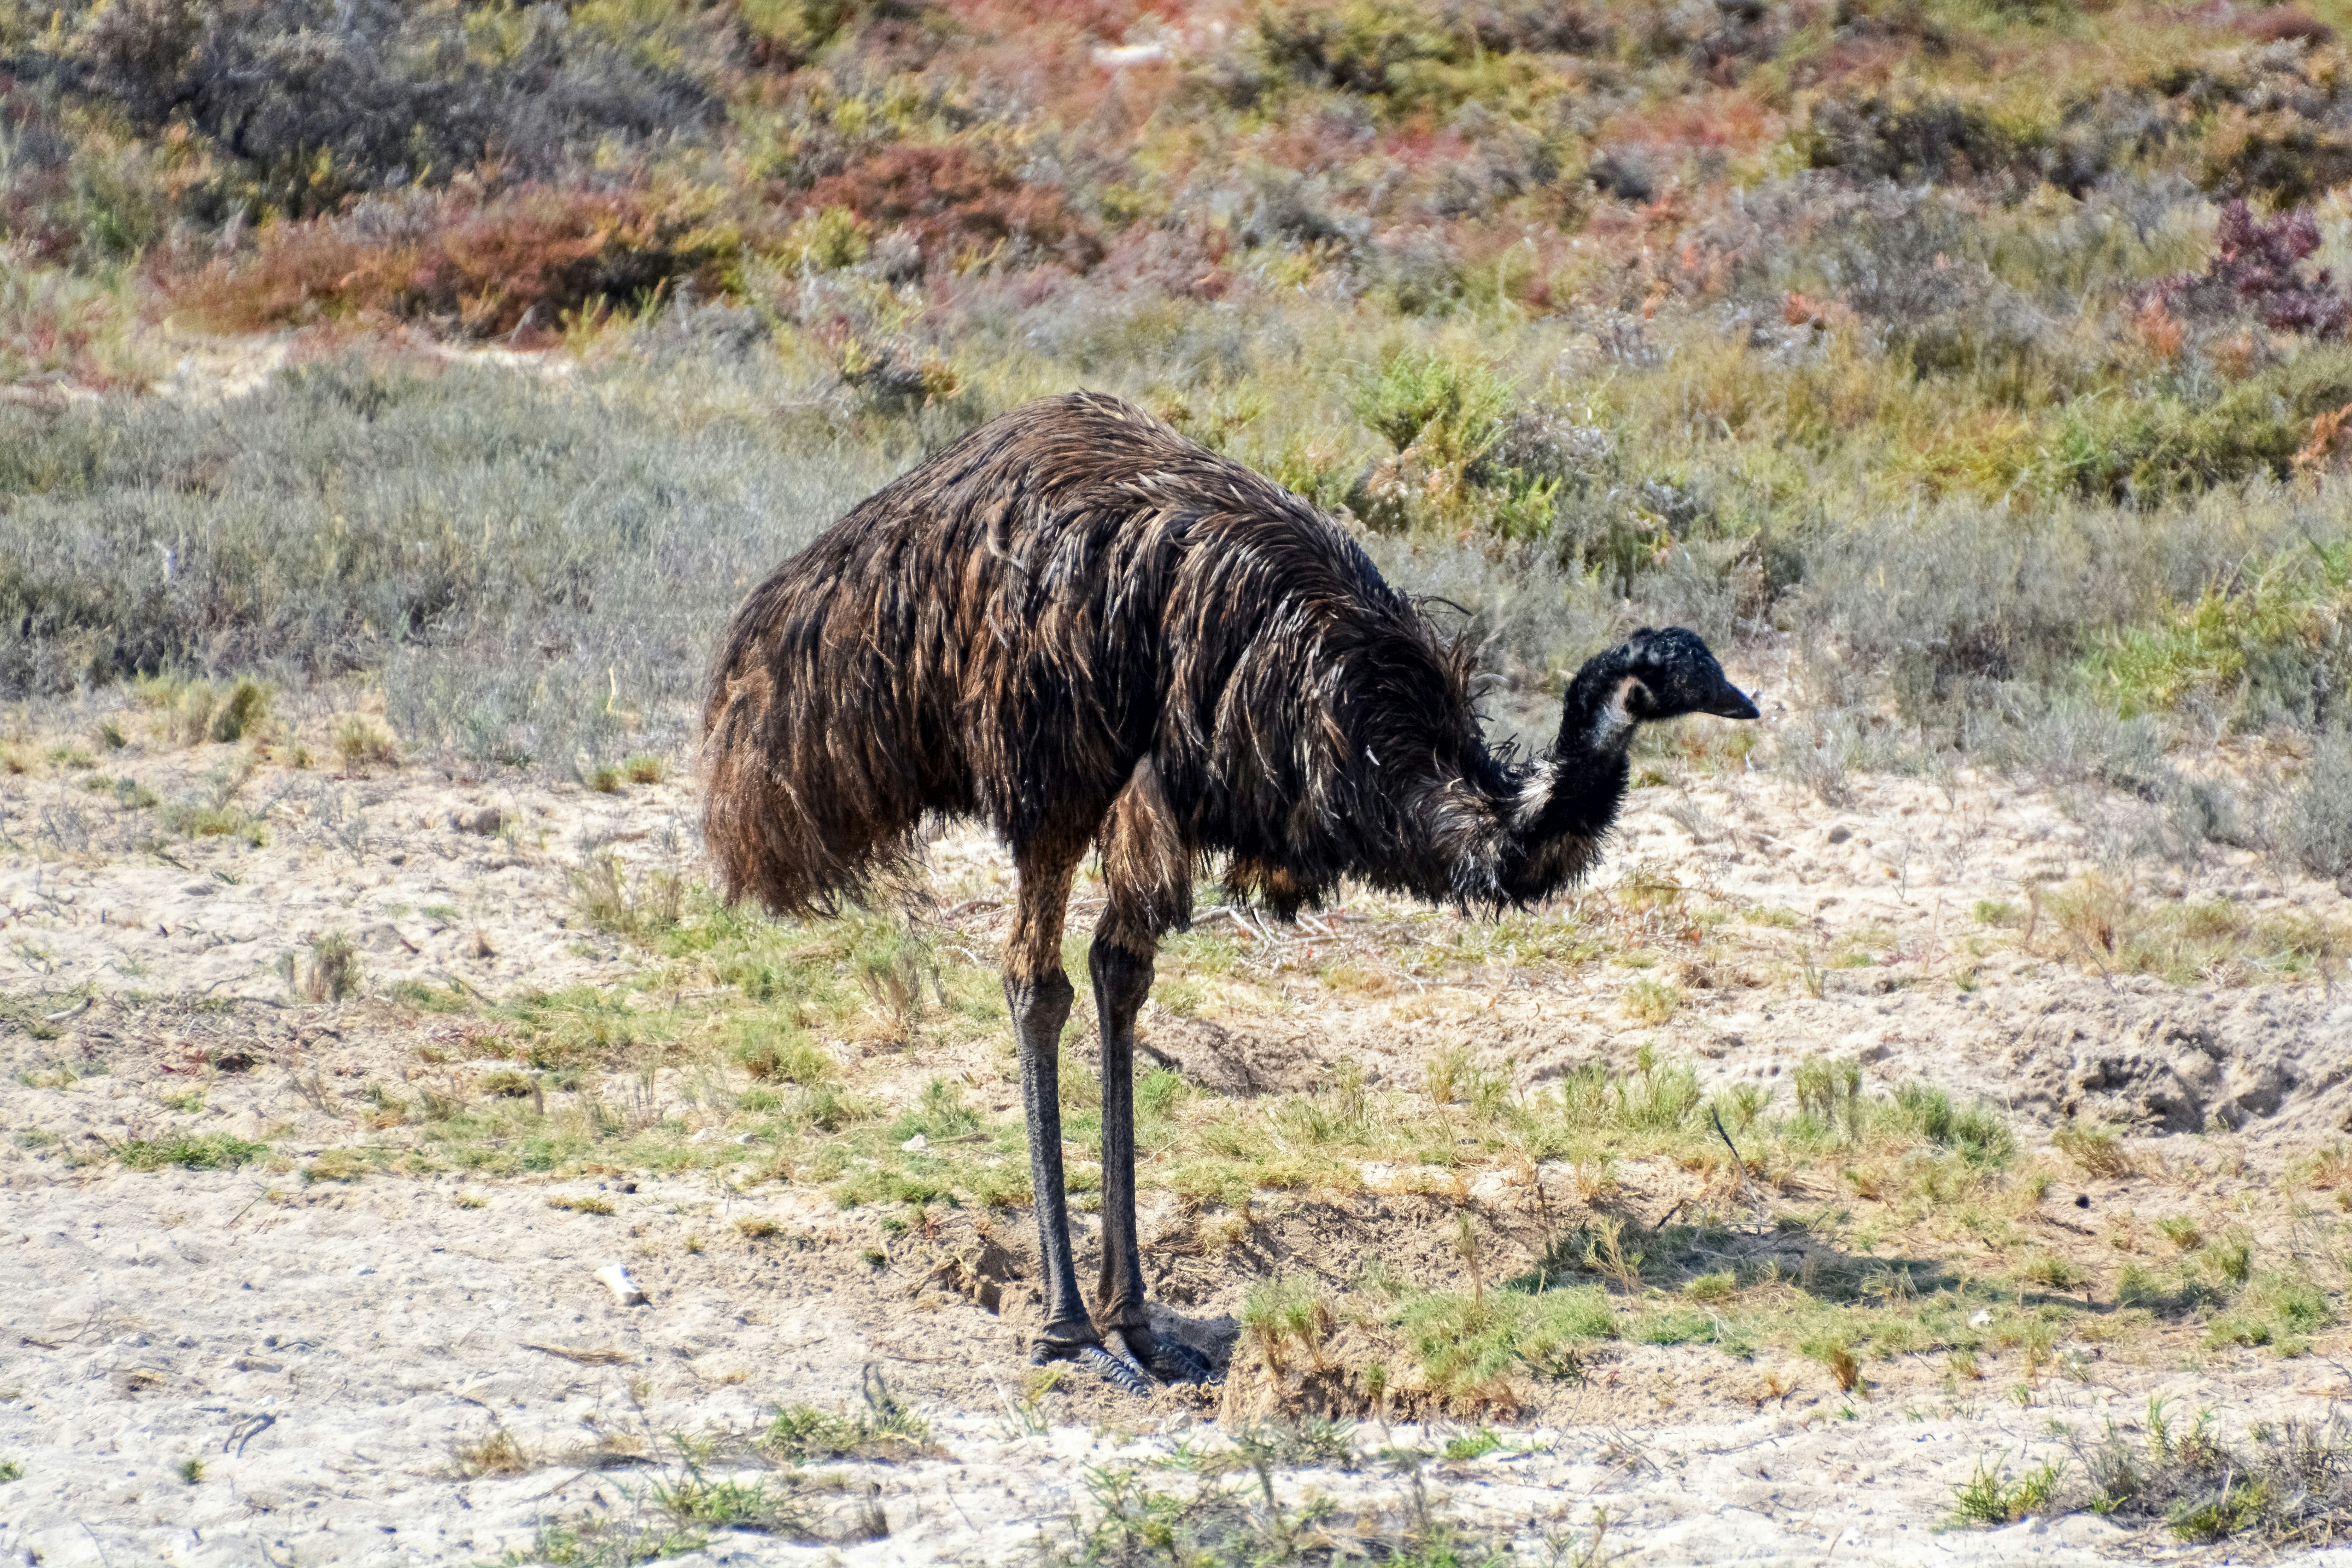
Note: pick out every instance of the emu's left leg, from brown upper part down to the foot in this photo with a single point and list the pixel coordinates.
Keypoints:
(1038, 996)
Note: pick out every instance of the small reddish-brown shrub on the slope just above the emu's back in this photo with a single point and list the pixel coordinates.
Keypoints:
(961, 206)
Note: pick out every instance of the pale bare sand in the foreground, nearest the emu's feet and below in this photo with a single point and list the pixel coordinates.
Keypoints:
(328, 1358)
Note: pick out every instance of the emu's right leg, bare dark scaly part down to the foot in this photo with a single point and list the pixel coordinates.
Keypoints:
(1121, 984)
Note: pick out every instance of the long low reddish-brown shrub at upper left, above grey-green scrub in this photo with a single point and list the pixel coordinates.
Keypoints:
(514, 264)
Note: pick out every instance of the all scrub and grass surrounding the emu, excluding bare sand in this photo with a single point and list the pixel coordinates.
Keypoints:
(1972, 377)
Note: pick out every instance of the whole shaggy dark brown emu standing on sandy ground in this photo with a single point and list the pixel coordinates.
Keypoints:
(1088, 631)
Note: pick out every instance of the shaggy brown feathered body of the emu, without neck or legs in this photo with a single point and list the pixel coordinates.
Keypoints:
(1010, 626)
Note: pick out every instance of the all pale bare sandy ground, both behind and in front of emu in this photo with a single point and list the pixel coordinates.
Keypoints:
(328, 1351)
